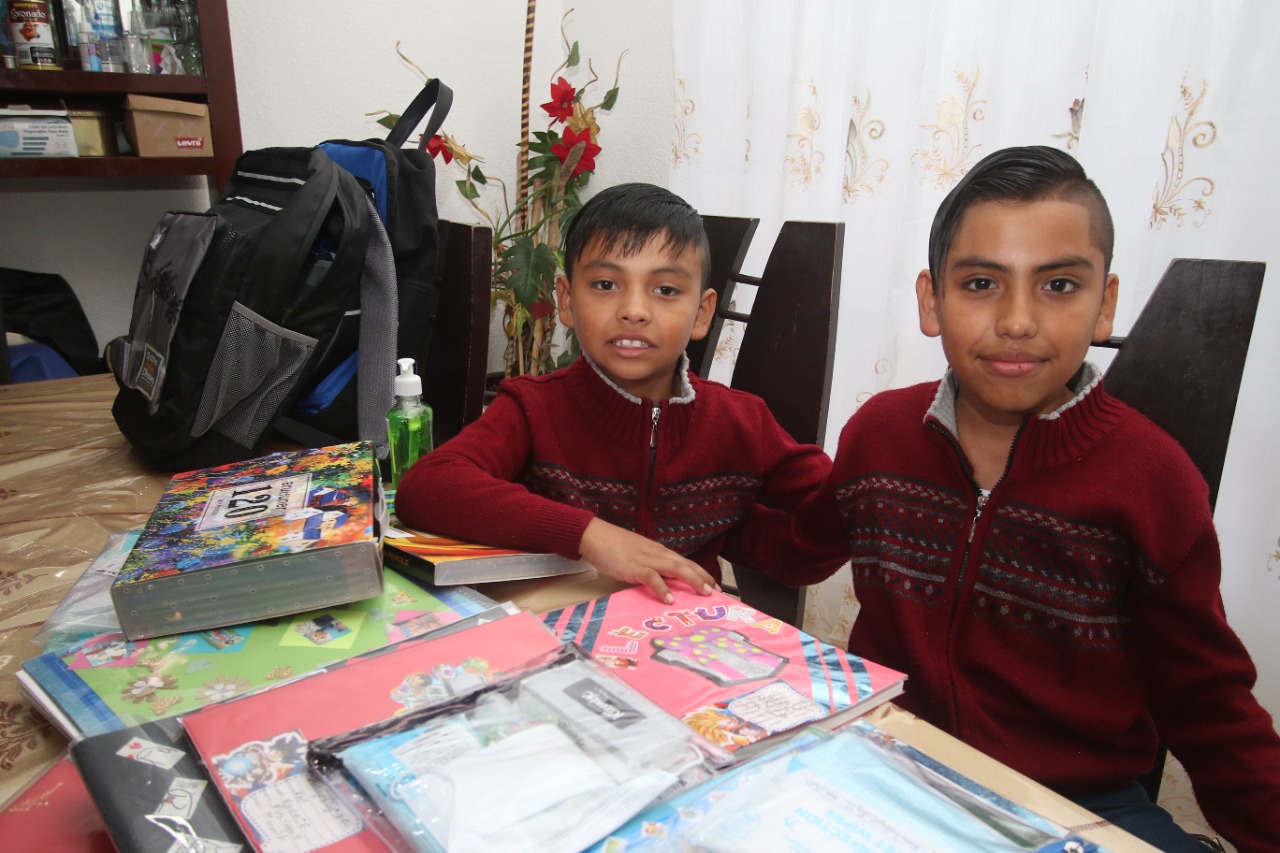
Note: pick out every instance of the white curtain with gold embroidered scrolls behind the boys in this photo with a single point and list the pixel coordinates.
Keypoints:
(868, 113)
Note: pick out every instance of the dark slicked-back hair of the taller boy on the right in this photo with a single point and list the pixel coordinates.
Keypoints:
(1031, 174)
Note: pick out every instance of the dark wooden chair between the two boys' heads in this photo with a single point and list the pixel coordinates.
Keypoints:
(788, 348)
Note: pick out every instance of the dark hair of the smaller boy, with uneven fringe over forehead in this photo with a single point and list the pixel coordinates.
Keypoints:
(629, 216)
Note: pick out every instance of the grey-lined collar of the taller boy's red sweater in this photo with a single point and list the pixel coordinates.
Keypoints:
(1059, 436)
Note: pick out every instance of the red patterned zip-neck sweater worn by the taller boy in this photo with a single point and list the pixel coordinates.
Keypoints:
(1071, 622)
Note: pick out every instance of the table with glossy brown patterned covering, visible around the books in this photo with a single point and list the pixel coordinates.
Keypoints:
(68, 480)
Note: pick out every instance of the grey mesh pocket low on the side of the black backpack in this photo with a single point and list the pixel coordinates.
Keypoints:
(257, 366)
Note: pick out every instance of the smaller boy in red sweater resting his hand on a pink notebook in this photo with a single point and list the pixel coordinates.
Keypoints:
(625, 458)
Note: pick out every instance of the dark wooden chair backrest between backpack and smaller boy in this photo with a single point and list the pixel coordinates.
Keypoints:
(454, 370)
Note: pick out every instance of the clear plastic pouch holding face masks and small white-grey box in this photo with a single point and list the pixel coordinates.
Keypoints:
(547, 761)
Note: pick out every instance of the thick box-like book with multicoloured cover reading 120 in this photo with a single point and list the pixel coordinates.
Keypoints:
(263, 539)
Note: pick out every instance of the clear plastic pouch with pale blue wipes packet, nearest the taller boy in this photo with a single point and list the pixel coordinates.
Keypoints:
(853, 790)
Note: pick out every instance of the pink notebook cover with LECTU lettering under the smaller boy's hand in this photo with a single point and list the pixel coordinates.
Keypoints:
(732, 673)
